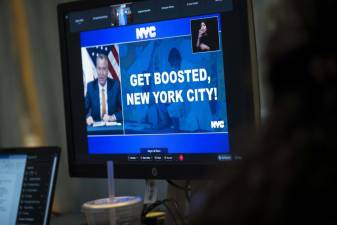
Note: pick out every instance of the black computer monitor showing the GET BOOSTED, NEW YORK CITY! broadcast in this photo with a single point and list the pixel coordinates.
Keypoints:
(159, 87)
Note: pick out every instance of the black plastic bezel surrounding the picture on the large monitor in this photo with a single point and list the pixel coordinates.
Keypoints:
(248, 108)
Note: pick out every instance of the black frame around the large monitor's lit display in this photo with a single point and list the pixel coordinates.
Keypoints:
(241, 91)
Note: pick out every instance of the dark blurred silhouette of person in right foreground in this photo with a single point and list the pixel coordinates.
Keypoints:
(289, 175)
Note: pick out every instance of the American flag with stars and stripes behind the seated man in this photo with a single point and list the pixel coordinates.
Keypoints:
(89, 63)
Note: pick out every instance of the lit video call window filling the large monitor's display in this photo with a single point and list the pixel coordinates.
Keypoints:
(154, 90)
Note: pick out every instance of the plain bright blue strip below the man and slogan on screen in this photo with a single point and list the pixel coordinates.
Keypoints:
(217, 143)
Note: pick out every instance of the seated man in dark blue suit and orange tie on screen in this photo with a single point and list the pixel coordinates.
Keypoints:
(103, 98)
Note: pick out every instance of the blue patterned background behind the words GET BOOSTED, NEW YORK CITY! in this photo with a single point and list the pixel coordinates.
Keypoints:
(172, 54)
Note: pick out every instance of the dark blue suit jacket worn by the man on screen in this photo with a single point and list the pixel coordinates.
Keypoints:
(92, 104)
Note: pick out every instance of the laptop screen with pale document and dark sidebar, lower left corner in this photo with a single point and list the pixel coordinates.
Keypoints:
(27, 180)
